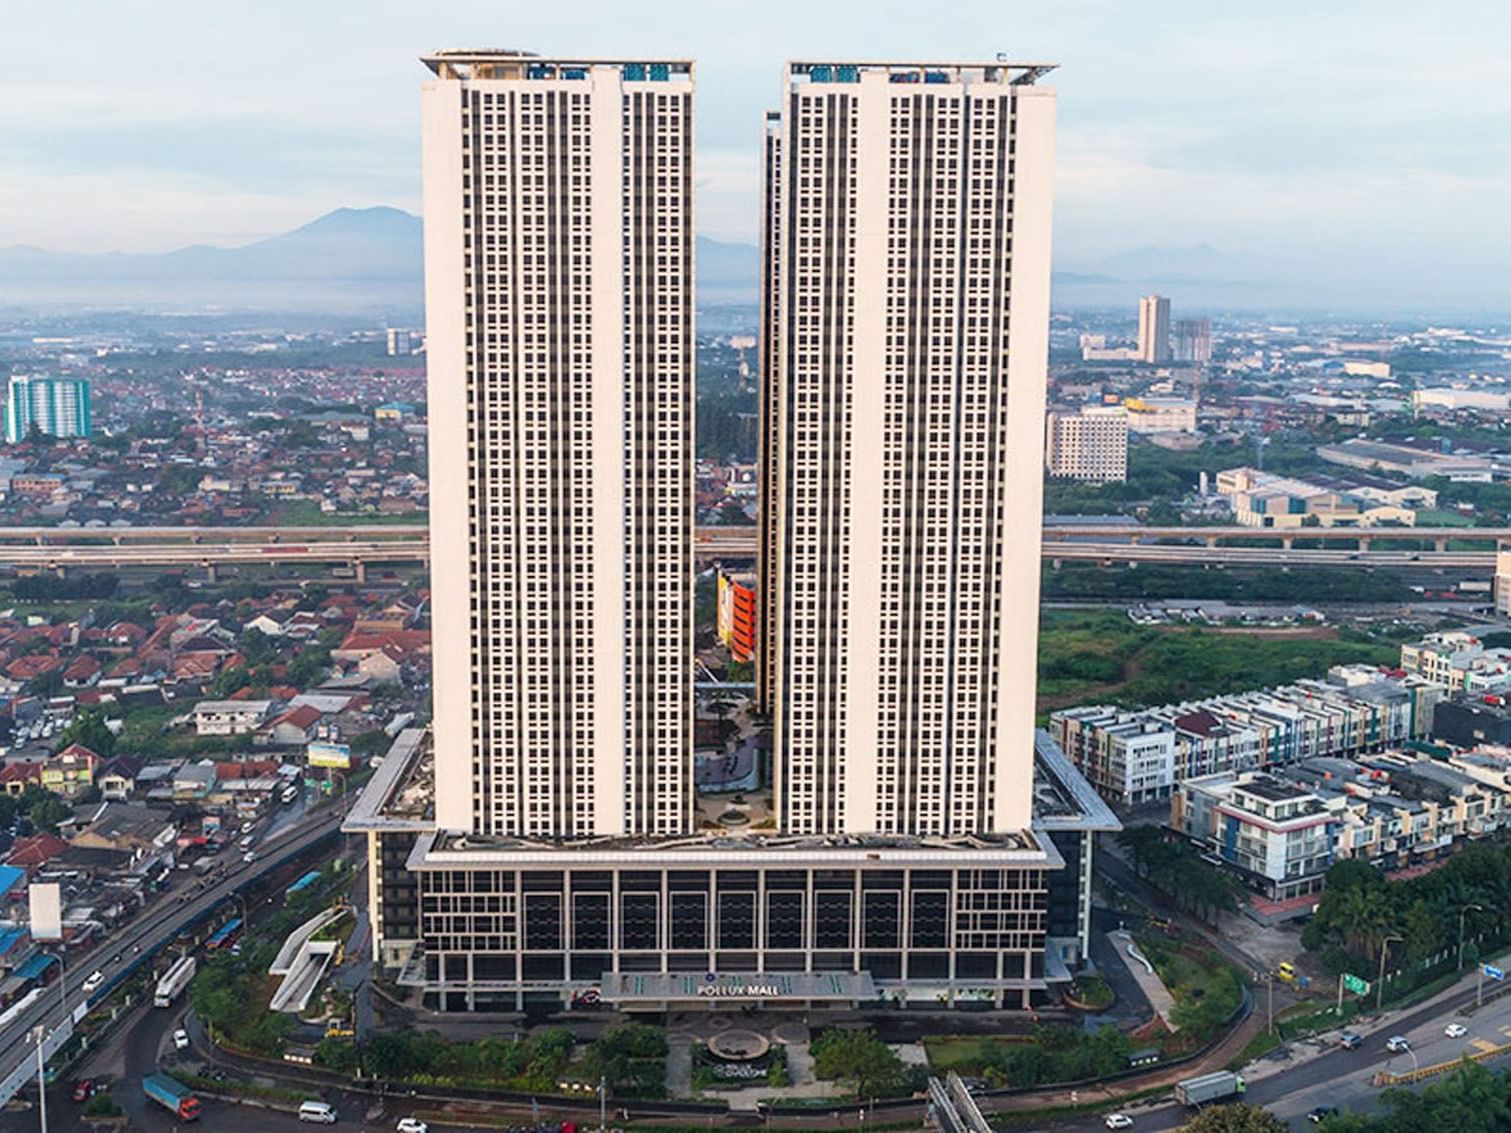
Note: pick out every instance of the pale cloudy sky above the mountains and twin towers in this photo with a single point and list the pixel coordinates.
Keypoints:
(1365, 143)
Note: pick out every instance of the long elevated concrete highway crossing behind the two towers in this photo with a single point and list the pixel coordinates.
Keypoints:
(52, 549)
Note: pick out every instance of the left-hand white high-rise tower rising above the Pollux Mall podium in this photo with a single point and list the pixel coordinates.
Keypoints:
(560, 300)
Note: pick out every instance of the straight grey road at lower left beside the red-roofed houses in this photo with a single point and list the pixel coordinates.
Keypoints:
(120, 955)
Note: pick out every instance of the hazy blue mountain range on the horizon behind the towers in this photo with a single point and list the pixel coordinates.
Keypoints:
(371, 261)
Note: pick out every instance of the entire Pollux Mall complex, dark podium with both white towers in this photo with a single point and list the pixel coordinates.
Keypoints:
(906, 268)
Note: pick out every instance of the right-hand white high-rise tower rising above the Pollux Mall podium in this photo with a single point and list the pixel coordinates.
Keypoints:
(906, 332)
